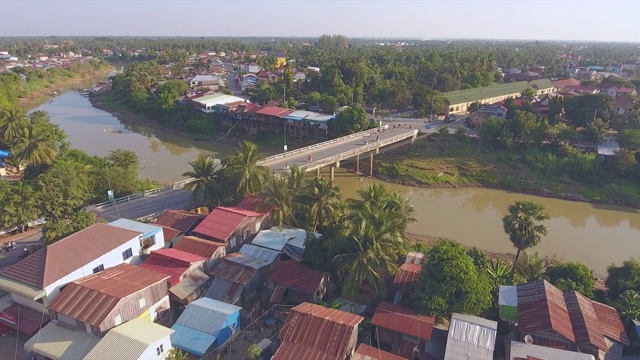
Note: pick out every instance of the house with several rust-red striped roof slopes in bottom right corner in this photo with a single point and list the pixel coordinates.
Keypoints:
(569, 321)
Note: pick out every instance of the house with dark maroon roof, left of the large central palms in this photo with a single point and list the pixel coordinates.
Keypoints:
(293, 282)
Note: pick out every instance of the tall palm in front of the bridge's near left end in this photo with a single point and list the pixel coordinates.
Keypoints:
(243, 165)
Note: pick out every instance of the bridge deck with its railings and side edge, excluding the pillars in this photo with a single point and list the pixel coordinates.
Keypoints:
(327, 154)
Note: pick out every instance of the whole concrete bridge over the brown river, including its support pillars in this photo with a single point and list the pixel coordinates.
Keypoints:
(332, 152)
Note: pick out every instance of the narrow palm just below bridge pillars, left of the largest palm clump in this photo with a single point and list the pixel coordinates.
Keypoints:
(322, 196)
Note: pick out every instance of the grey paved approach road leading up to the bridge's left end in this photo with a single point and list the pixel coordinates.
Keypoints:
(147, 205)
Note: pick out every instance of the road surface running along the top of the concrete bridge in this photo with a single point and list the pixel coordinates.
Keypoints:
(278, 165)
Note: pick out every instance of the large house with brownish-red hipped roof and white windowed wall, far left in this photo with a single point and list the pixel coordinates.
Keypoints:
(35, 281)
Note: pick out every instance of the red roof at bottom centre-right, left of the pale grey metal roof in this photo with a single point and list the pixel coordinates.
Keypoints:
(403, 320)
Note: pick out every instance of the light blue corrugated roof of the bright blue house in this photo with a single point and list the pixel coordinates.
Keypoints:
(207, 315)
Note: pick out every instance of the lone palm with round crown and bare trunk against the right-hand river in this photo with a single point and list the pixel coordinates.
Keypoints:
(522, 224)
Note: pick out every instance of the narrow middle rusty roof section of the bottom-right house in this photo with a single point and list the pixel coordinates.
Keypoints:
(586, 328)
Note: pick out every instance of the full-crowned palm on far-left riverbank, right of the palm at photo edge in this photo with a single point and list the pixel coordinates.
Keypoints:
(36, 145)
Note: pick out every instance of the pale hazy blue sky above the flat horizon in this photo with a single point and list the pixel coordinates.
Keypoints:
(605, 20)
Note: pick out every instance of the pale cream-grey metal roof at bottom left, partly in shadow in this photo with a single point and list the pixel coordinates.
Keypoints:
(56, 342)
